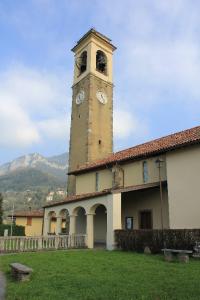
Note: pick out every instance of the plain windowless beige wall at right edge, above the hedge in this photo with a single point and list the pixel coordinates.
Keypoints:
(183, 172)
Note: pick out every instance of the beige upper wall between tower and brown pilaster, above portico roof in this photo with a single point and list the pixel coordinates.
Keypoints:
(86, 183)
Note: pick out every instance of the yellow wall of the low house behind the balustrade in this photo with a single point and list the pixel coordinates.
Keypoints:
(31, 230)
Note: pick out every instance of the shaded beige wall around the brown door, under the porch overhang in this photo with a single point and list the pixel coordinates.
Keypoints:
(134, 202)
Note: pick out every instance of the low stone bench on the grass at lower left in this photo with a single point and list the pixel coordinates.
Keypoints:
(20, 272)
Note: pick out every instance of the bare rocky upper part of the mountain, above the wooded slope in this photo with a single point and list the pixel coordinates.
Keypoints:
(33, 171)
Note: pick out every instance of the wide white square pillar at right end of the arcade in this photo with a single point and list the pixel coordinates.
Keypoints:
(113, 219)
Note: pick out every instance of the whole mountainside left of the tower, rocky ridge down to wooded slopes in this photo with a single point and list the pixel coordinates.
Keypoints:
(27, 180)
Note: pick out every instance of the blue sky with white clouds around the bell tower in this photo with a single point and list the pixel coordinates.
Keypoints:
(156, 69)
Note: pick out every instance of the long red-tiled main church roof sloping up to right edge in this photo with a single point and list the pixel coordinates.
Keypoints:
(158, 146)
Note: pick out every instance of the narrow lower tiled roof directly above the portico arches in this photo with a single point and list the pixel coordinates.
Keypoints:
(74, 198)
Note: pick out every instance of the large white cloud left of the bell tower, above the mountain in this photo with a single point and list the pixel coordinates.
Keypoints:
(32, 107)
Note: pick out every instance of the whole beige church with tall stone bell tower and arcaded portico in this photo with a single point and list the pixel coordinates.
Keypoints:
(150, 186)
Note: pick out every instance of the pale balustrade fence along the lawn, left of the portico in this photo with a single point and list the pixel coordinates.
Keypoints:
(38, 243)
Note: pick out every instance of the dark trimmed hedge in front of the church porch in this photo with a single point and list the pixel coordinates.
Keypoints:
(137, 240)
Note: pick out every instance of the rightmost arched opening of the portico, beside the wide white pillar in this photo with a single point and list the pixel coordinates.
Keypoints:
(100, 226)
